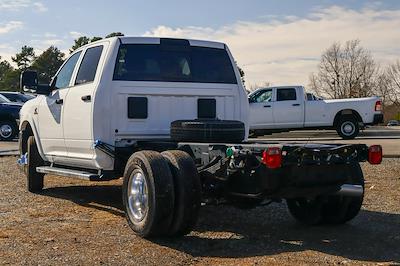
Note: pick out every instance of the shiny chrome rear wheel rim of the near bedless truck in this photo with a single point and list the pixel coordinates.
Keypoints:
(138, 196)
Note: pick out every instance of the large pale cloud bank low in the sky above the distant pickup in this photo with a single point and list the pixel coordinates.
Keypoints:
(286, 51)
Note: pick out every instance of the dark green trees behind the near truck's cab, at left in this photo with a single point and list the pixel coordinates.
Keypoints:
(46, 64)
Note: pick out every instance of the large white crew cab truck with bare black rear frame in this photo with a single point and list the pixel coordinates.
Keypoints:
(170, 116)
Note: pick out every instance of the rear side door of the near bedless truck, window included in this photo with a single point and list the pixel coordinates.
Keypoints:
(78, 124)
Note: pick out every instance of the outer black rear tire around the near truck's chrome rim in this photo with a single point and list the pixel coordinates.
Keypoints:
(158, 191)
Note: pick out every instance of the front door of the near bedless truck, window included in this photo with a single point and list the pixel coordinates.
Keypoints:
(50, 112)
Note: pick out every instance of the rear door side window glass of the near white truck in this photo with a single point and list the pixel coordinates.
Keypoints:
(88, 67)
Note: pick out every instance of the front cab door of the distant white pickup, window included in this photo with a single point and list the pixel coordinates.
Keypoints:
(261, 109)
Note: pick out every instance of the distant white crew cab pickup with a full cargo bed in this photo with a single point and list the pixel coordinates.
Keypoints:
(287, 108)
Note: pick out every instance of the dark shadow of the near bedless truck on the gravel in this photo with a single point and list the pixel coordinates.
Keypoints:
(228, 232)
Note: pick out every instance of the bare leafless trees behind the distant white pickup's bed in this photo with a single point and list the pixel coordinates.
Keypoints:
(348, 70)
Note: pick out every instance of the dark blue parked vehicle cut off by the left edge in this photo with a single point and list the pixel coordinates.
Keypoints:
(9, 118)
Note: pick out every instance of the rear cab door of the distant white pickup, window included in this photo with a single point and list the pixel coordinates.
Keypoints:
(288, 108)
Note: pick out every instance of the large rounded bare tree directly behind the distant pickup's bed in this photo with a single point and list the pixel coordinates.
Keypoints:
(345, 71)
